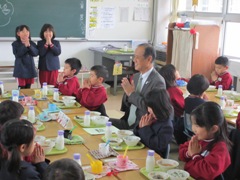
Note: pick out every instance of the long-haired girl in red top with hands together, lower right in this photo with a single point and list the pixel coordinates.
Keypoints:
(207, 153)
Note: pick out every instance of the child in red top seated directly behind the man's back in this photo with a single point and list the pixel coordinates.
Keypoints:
(169, 73)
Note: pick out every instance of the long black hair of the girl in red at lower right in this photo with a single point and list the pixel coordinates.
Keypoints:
(209, 114)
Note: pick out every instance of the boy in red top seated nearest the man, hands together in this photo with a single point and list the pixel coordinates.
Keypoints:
(93, 94)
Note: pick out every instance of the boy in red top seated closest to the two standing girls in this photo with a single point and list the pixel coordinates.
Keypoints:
(67, 82)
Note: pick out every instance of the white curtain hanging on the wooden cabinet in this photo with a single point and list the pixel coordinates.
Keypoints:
(182, 52)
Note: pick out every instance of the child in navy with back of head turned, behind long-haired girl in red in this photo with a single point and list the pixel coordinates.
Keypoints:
(196, 87)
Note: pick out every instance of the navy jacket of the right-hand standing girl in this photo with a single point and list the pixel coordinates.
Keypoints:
(48, 57)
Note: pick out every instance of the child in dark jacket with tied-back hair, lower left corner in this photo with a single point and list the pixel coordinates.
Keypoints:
(17, 138)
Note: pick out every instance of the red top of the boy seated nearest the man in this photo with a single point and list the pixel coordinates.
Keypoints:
(94, 97)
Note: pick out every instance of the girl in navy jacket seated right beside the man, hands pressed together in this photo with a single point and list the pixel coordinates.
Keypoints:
(155, 128)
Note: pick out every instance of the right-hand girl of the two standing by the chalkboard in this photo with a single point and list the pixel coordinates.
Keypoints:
(49, 50)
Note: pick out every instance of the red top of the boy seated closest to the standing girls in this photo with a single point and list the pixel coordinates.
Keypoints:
(69, 86)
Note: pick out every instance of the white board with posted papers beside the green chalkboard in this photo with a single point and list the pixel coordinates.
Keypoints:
(119, 19)
